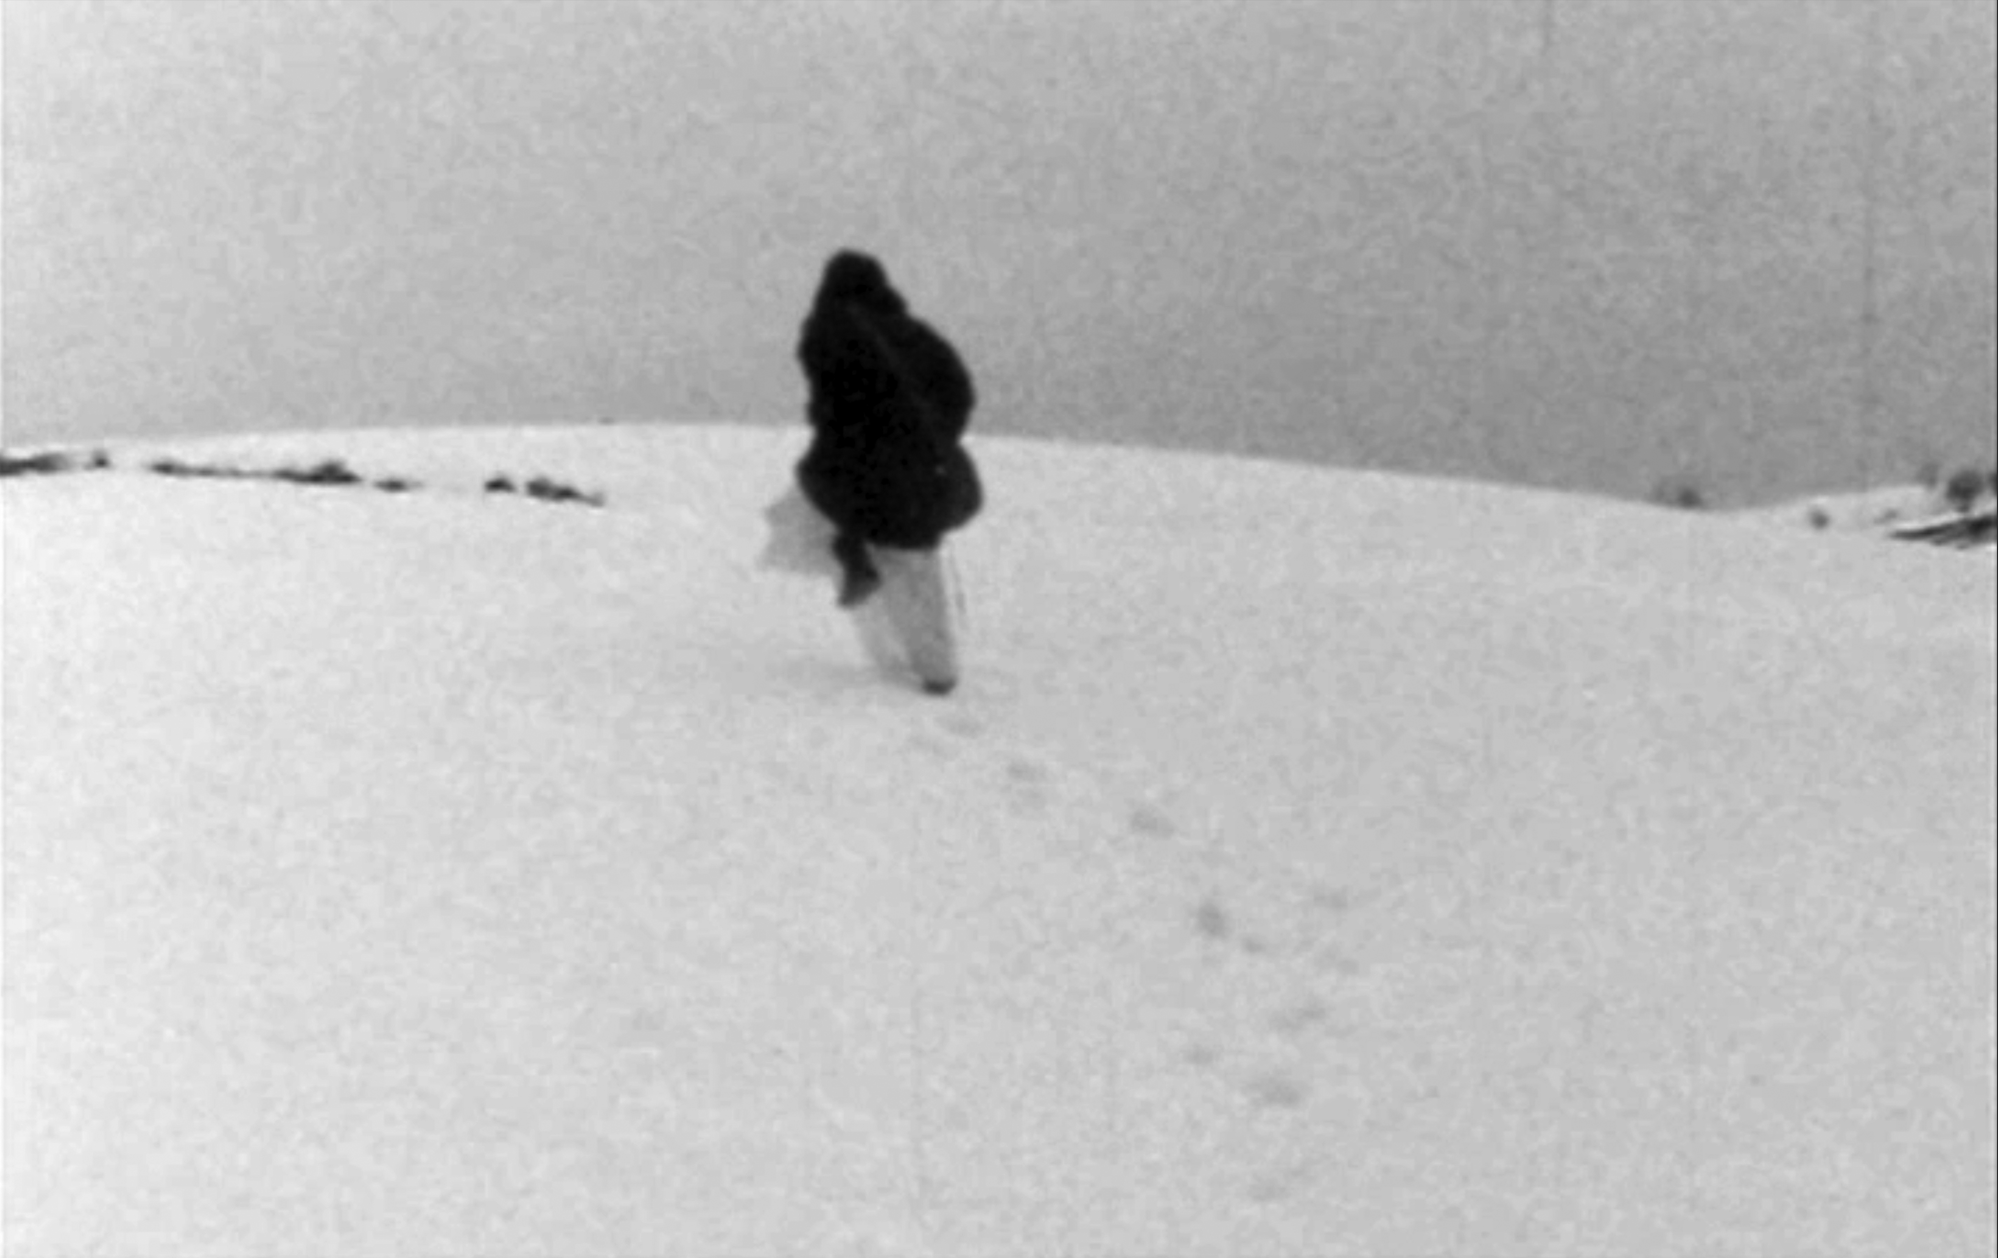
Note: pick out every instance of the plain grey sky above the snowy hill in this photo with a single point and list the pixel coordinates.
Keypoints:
(1563, 243)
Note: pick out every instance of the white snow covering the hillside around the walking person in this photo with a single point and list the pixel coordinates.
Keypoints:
(1312, 864)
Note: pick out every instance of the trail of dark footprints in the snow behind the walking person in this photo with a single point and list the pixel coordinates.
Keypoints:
(1302, 1023)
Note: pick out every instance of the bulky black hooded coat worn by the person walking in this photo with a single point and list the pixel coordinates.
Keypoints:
(890, 404)
